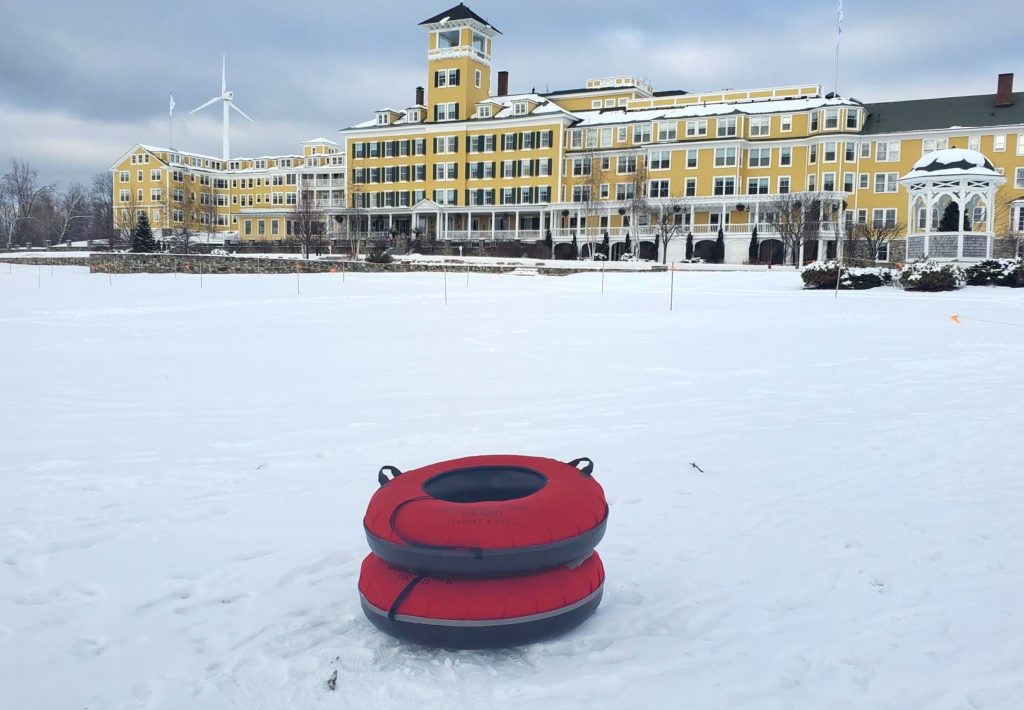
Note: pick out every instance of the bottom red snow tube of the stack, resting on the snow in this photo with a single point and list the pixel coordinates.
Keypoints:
(480, 613)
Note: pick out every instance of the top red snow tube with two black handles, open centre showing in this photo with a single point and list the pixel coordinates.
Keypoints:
(487, 516)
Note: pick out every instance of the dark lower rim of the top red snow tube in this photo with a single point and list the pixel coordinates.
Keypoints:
(501, 562)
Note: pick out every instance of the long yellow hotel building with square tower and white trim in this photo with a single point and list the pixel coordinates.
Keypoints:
(470, 162)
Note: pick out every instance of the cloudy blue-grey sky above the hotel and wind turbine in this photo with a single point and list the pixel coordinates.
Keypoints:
(82, 82)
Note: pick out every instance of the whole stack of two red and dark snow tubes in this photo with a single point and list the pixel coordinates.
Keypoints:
(484, 552)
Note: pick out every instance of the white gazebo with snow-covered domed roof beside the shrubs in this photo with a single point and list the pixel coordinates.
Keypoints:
(965, 179)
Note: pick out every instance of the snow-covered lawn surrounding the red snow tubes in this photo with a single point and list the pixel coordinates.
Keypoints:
(185, 472)
